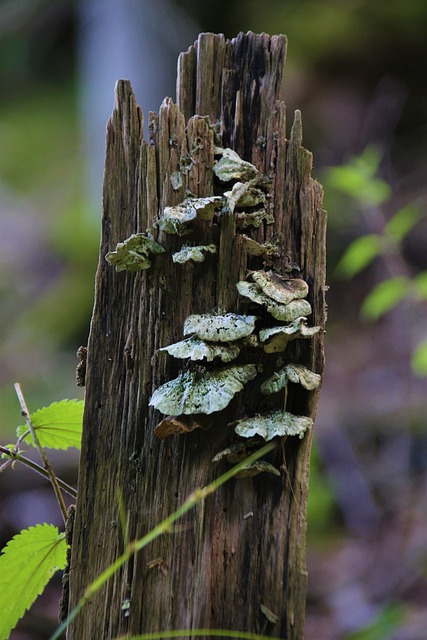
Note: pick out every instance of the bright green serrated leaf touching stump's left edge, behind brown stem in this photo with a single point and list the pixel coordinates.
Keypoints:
(58, 426)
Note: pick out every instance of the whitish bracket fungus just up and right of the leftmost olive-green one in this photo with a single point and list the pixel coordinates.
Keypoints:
(176, 219)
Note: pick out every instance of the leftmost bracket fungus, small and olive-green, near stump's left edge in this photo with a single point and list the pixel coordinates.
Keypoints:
(133, 253)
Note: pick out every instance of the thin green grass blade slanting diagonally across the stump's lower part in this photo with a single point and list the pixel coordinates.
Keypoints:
(199, 495)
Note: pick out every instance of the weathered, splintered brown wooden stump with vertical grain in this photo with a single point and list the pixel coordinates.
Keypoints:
(246, 546)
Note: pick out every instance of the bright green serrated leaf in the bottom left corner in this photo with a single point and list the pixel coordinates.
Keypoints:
(27, 564)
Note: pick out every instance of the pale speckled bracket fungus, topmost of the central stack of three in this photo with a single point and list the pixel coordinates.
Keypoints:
(219, 328)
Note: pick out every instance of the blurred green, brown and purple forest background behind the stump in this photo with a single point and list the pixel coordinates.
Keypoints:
(356, 69)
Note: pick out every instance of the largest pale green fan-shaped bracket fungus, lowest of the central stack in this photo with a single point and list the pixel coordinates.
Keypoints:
(193, 392)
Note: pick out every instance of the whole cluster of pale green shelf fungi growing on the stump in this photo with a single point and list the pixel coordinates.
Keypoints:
(189, 400)
